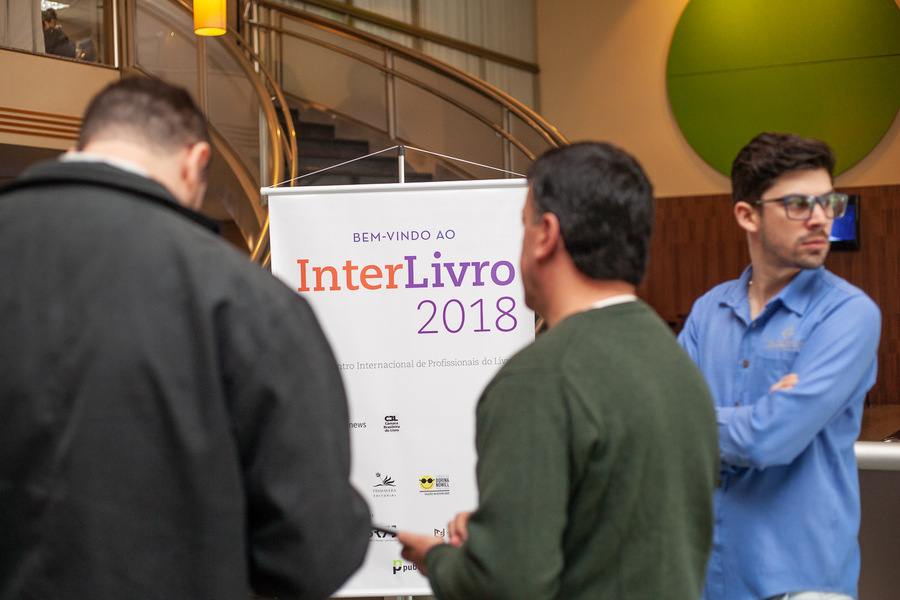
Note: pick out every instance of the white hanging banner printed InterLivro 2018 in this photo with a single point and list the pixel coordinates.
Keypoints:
(418, 290)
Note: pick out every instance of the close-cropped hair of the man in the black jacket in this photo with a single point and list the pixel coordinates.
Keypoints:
(163, 116)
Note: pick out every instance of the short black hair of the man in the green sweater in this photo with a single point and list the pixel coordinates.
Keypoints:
(604, 204)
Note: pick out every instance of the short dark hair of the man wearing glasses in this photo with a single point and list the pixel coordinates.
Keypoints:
(768, 156)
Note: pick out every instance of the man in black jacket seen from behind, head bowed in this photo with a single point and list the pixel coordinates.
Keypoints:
(174, 424)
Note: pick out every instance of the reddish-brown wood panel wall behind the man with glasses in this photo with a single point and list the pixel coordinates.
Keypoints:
(697, 244)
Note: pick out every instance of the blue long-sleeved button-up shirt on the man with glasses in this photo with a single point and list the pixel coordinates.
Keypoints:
(787, 508)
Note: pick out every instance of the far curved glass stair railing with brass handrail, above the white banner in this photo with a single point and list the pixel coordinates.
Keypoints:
(408, 97)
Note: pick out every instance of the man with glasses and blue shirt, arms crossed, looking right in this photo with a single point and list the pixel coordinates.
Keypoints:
(789, 352)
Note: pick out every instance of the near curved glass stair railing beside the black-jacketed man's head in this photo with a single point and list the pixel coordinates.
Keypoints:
(235, 91)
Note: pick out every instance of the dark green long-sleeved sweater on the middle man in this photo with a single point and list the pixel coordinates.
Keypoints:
(597, 457)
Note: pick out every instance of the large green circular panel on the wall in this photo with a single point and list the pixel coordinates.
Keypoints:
(828, 69)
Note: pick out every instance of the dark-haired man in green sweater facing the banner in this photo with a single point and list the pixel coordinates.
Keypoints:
(597, 450)
